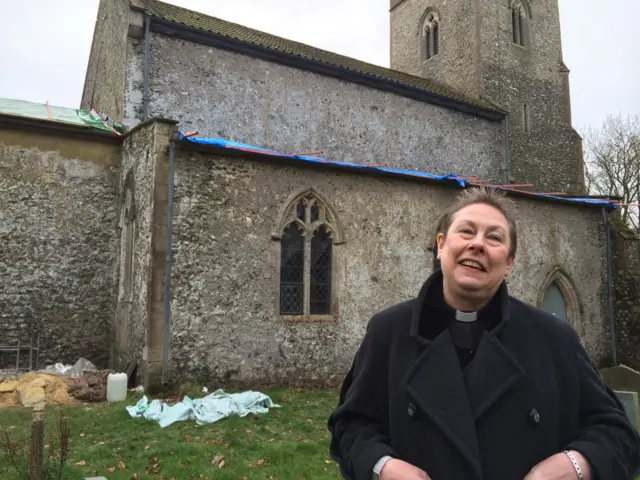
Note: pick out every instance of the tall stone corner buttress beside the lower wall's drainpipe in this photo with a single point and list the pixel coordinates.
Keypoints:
(139, 315)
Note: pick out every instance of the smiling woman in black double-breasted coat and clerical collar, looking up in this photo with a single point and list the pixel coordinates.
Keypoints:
(465, 382)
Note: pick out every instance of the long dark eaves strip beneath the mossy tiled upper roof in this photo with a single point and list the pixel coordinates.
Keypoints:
(196, 35)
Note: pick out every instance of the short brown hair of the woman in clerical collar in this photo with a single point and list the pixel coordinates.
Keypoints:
(495, 198)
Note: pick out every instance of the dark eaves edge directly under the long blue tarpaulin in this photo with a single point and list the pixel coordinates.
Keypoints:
(288, 160)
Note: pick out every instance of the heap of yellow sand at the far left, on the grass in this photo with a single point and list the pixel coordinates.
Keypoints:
(34, 387)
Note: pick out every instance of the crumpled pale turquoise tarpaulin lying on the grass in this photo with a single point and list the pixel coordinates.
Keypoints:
(209, 409)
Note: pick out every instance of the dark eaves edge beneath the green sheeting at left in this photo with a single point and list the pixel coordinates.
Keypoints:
(71, 130)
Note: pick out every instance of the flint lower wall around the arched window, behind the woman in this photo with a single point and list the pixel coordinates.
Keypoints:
(225, 324)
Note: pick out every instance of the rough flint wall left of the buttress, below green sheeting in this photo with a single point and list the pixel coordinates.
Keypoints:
(57, 244)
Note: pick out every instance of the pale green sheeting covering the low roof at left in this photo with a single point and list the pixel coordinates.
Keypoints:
(76, 116)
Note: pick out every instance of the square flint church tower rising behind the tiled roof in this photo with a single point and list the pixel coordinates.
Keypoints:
(508, 52)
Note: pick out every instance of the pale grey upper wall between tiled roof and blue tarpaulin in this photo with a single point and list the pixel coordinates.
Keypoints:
(237, 97)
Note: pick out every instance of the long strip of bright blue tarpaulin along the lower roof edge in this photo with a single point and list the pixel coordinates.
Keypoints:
(461, 181)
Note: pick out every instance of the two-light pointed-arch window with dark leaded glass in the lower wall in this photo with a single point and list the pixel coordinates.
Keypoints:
(309, 229)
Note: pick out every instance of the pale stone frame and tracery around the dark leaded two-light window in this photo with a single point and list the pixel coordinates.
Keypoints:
(332, 223)
